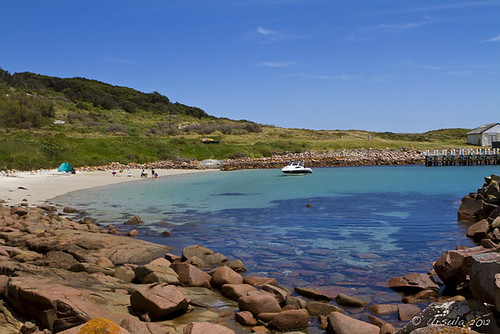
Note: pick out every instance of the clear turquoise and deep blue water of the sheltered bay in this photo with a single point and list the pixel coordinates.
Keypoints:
(363, 225)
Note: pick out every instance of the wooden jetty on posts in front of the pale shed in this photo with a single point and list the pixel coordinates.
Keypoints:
(463, 157)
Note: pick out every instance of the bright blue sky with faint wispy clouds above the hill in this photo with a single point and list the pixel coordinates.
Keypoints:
(381, 65)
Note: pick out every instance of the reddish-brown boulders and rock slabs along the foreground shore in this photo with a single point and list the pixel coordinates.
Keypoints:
(58, 275)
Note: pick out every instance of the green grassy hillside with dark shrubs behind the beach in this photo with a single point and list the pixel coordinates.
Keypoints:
(46, 120)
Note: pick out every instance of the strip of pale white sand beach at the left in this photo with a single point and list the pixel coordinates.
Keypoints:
(36, 188)
